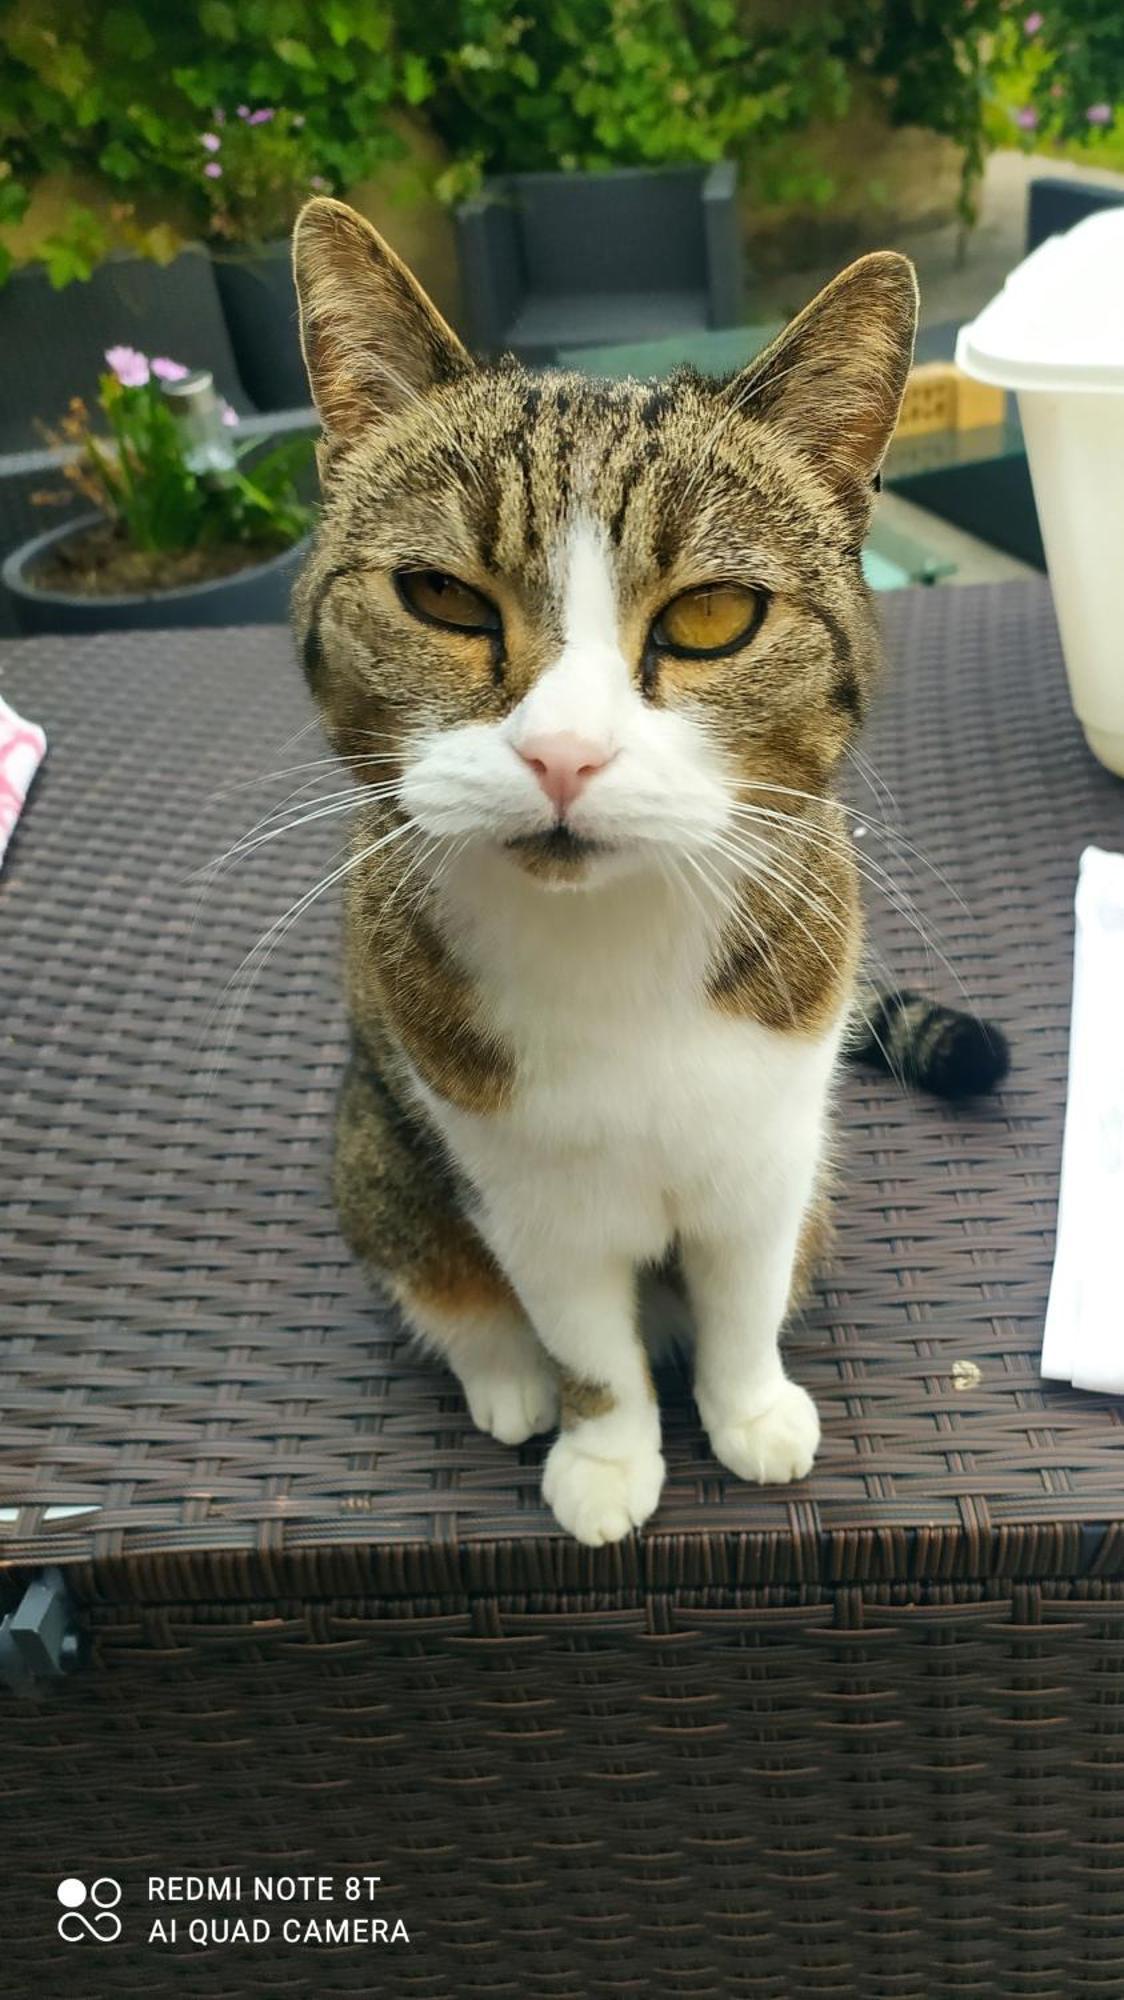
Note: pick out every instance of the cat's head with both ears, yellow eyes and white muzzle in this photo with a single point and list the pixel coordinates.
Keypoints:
(587, 621)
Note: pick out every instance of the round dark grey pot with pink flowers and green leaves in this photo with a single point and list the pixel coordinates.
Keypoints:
(183, 531)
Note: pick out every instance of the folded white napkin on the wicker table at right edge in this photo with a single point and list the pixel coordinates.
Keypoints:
(1085, 1319)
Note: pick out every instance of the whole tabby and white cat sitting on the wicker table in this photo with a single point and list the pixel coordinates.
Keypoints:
(597, 653)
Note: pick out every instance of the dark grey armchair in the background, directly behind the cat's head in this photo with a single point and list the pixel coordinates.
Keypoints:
(567, 261)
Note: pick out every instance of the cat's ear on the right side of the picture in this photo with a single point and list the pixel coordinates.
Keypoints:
(835, 379)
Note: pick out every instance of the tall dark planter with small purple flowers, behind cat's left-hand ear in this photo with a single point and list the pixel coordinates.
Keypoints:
(257, 171)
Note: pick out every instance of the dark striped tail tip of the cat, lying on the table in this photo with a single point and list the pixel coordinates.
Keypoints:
(927, 1045)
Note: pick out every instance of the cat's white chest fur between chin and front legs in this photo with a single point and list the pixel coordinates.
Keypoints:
(641, 1111)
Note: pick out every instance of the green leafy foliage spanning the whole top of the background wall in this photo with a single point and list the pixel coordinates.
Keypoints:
(125, 89)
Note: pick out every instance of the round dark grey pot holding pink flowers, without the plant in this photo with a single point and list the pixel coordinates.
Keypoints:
(253, 597)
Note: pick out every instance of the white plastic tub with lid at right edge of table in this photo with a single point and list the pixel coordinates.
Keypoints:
(1057, 337)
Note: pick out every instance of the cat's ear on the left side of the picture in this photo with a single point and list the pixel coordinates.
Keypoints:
(371, 337)
